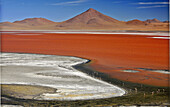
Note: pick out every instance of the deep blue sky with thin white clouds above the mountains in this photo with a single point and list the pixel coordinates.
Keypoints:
(61, 10)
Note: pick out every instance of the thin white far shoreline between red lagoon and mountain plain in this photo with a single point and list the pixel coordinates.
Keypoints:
(148, 33)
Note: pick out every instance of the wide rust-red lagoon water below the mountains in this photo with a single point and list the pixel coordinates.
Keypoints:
(109, 53)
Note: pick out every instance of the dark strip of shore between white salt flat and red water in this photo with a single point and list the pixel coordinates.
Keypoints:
(120, 83)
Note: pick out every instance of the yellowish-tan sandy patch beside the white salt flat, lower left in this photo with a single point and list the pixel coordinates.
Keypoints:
(23, 91)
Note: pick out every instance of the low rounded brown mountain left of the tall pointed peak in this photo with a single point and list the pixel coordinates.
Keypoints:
(34, 21)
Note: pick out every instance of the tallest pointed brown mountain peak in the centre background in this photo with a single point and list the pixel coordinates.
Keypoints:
(91, 17)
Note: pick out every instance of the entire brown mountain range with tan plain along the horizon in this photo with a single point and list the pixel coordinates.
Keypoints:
(90, 19)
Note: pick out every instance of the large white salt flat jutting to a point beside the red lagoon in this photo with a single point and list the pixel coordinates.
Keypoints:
(55, 72)
